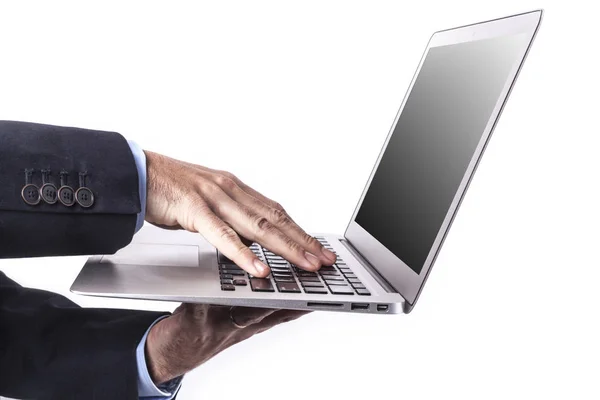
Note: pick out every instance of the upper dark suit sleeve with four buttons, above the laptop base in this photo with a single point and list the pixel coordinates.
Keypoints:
(108, 170)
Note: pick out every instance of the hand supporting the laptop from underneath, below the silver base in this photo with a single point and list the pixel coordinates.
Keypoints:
(197, 332)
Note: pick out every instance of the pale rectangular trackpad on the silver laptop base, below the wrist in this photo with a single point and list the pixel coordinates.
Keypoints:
(167, 255)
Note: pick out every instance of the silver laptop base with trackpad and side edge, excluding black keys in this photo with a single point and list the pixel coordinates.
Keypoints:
(180, 266)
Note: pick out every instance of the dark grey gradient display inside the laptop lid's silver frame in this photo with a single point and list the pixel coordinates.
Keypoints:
(433, 143)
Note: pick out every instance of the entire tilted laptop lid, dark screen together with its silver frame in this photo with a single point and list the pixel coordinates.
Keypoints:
(434, 145)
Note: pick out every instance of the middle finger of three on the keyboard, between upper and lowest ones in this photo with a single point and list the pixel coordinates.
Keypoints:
(258, 228)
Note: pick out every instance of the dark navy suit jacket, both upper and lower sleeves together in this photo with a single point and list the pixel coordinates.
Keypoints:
(49, 347)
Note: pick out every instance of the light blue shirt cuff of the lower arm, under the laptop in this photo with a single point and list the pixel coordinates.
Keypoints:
(146, 387)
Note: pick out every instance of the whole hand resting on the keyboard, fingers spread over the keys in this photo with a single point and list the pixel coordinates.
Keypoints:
(228, 213)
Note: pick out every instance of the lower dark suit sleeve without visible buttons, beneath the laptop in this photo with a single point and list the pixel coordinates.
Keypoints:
(51, 349)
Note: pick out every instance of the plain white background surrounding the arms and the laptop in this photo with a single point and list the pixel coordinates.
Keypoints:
(296, 98)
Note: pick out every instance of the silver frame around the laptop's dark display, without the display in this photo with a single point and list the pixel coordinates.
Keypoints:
(399, 275)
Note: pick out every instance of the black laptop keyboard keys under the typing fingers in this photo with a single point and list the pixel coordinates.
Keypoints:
(288, 278)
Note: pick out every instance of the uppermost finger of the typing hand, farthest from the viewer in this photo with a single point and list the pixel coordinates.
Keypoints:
(284, 223)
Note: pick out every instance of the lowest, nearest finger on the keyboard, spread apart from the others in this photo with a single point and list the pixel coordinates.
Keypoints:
(224, 238)
